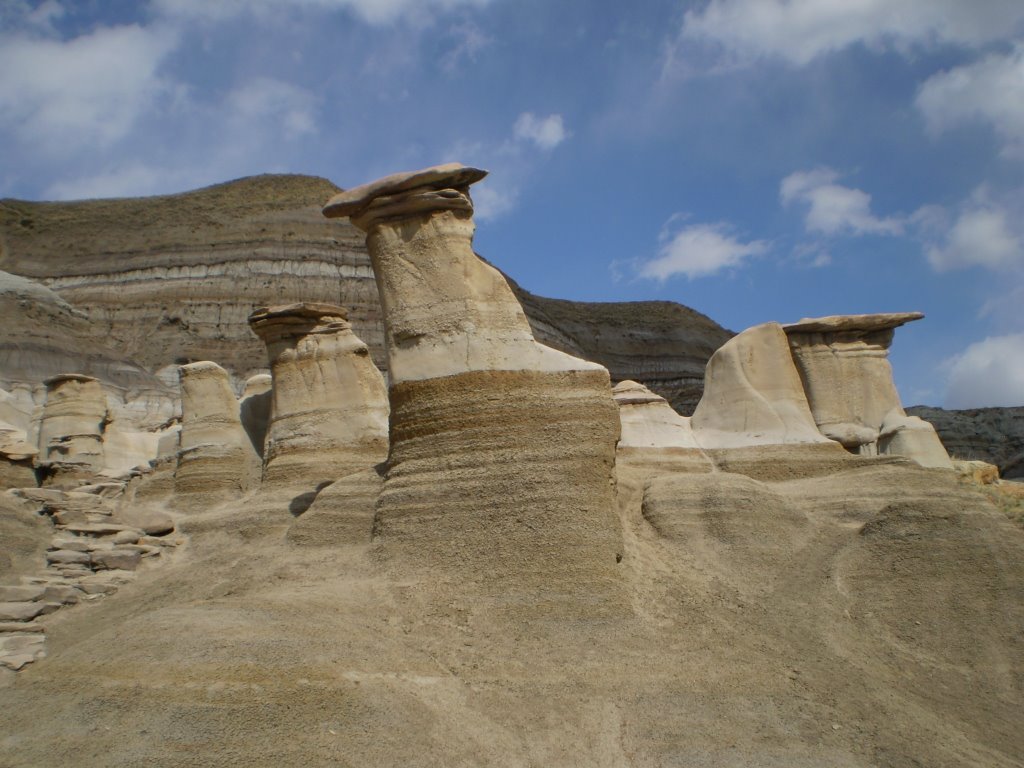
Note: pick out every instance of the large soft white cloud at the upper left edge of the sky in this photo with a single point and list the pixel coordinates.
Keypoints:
(82, 93)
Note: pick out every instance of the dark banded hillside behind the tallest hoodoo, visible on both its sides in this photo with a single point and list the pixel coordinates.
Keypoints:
(173, 279)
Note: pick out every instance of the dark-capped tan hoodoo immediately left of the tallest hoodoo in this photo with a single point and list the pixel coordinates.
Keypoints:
(329, 414)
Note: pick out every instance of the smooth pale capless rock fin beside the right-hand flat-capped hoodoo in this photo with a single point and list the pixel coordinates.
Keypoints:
(753, 395)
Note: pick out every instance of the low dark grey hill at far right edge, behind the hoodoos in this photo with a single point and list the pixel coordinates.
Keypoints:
(992, 435)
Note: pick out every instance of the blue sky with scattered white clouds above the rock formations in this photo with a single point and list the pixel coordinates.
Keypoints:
(756, 160)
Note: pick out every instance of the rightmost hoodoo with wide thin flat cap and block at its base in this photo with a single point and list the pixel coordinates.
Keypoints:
(844, 364)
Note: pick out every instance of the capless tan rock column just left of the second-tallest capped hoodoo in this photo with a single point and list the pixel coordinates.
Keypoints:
(217, 456)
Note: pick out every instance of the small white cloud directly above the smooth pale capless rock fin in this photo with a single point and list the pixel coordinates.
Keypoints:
(698, 251)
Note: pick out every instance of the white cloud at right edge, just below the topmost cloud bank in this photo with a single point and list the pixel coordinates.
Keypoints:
(991, 91)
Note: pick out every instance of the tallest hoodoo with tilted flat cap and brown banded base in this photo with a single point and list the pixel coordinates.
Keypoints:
(499, 478)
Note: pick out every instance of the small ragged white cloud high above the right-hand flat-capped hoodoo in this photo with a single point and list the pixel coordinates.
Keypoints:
(832, 208)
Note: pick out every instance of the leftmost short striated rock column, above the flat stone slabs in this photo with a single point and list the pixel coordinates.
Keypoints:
(71, 433)
